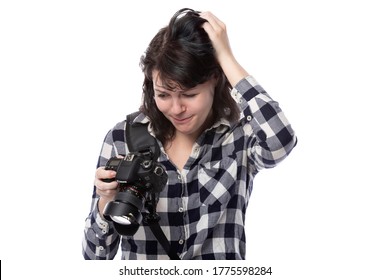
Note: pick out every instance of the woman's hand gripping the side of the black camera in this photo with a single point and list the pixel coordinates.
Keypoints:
(106, 190)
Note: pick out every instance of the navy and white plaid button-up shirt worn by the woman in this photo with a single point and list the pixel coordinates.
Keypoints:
(203, 207)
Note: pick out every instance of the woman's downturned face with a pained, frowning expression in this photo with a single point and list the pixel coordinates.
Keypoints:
(188, 110)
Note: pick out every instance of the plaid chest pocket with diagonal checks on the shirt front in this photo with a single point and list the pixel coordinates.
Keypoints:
(217, 183)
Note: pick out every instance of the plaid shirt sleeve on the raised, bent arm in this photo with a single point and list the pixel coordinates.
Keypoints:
(269, 134)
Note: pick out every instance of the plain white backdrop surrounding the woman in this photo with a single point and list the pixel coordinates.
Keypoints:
(69, 71)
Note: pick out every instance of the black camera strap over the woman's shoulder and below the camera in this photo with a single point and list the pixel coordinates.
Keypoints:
(138, 139)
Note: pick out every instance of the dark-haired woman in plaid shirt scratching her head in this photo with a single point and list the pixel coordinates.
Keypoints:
(216, 128)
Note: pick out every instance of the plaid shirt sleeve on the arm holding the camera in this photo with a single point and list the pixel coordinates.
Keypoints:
(100, 240)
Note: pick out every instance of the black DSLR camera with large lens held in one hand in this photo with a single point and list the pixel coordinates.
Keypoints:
(140, 180)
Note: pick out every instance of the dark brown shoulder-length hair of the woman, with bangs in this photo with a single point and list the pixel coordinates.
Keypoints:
(183, 55)
